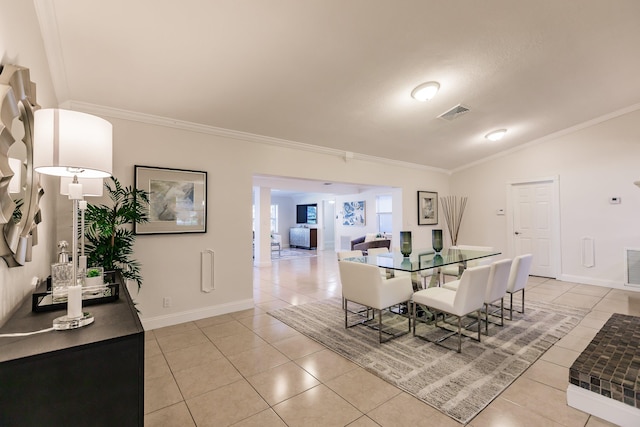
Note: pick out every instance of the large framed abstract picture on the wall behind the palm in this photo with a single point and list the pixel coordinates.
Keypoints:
(177, 200)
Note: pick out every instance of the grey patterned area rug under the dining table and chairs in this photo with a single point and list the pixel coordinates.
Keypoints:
(459, 385)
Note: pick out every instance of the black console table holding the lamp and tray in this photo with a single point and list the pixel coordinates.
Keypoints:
(88, 376)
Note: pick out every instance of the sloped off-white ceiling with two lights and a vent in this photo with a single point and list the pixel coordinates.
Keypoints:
(339, 74)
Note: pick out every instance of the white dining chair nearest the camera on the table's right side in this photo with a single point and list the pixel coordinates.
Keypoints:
(468, 298)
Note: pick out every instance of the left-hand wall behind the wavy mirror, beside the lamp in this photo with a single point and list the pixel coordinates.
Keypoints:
(21, 44)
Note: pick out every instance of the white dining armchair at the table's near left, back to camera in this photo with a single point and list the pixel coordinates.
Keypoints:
(362, 284)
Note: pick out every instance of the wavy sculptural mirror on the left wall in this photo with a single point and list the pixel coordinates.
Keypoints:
(19, 200)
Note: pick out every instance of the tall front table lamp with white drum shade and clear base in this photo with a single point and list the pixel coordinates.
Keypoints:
(73, 145)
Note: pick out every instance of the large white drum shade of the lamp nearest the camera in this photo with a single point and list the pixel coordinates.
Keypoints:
(70, 143)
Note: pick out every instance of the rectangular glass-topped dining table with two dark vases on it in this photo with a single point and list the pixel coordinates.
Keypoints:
(423, 260)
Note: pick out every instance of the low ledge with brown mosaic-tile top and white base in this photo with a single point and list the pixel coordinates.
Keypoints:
(605, 379)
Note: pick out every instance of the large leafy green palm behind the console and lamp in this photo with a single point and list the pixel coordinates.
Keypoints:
(108, 233)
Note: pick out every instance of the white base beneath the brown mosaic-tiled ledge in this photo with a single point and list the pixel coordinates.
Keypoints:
(603, 407)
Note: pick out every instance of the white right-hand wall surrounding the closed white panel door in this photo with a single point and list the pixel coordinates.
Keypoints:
(593, 164)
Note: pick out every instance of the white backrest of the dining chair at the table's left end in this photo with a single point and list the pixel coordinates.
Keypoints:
(360, 282)
